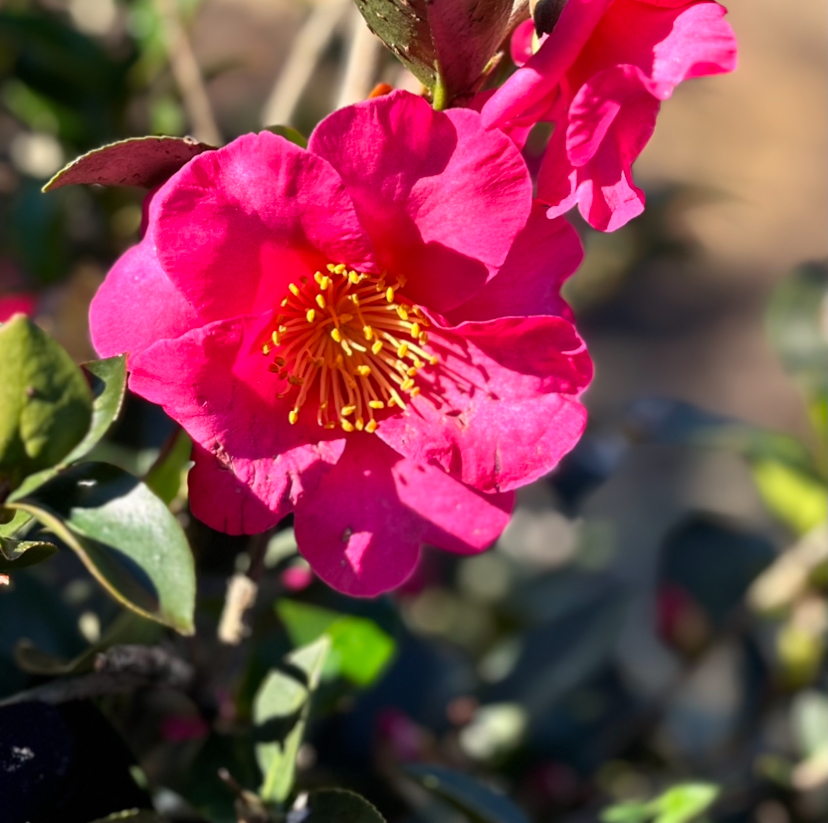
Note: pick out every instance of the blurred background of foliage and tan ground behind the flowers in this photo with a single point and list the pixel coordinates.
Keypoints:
(646, 641)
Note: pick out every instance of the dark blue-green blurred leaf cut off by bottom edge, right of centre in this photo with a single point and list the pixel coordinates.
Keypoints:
(467, 795)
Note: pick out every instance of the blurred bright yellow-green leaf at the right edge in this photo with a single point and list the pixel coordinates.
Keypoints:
(796, 498)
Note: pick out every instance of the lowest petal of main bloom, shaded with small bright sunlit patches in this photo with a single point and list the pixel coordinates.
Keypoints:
(362, 528)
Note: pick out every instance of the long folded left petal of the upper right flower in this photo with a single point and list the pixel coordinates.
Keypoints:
(536, 80)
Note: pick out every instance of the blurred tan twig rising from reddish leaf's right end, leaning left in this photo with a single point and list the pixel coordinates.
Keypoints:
(187, 74)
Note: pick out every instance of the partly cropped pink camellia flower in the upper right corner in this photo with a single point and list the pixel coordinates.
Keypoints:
(600, 77)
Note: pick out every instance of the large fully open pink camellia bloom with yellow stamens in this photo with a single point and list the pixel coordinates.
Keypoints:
(367, 333)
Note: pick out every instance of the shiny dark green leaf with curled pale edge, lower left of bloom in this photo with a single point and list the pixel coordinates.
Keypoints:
(124, 534)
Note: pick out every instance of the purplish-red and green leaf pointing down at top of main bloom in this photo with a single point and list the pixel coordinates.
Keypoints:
(447, 46)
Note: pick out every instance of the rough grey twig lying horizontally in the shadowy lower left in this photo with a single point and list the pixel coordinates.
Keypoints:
(119, 669)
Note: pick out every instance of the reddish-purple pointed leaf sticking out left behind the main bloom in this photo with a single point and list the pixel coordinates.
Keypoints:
(138, 161)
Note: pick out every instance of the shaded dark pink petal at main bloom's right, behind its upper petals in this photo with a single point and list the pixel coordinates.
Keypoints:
(544, 255)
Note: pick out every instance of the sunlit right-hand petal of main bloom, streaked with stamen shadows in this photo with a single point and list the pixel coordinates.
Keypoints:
(499, 409)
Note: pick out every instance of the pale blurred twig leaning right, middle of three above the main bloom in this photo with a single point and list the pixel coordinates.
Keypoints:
(303, 58)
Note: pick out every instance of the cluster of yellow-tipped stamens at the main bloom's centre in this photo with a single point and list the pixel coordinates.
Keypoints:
(355, 338)
